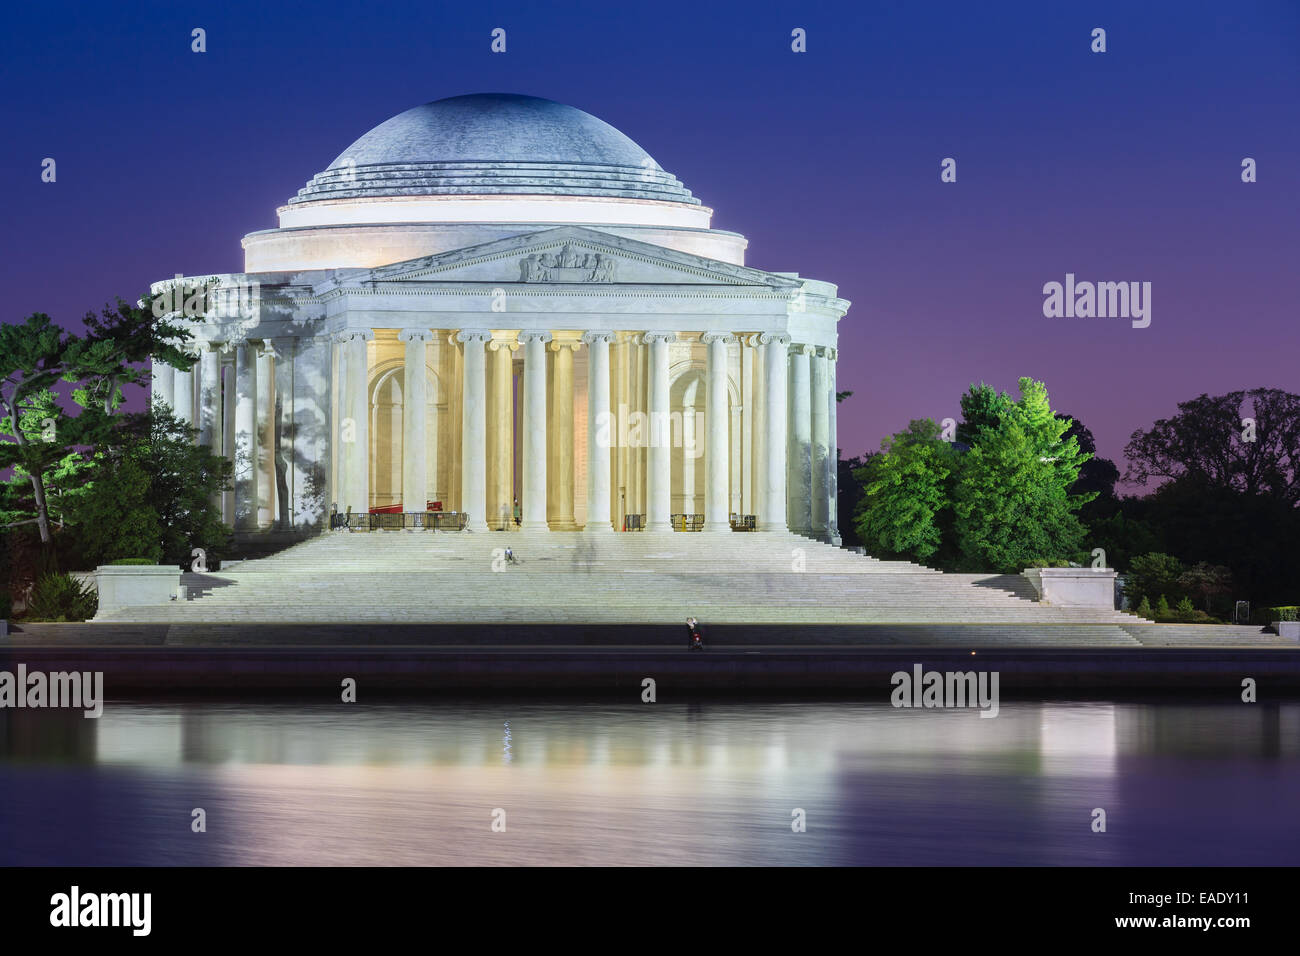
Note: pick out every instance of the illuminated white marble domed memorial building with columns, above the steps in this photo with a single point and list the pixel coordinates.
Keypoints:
(497, 299)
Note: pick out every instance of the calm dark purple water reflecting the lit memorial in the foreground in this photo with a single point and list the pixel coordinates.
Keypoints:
(652, 784)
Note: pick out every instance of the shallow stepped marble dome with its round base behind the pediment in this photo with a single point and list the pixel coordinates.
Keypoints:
(471, 170)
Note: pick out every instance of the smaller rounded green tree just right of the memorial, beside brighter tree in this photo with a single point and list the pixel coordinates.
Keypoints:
(905, 494)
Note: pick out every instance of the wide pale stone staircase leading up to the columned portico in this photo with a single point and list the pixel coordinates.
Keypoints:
(626, 578)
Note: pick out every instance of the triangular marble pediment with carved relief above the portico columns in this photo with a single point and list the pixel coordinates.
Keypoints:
(567, 256)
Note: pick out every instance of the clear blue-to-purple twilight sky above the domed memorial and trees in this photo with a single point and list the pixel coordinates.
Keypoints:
(1124, 166)
